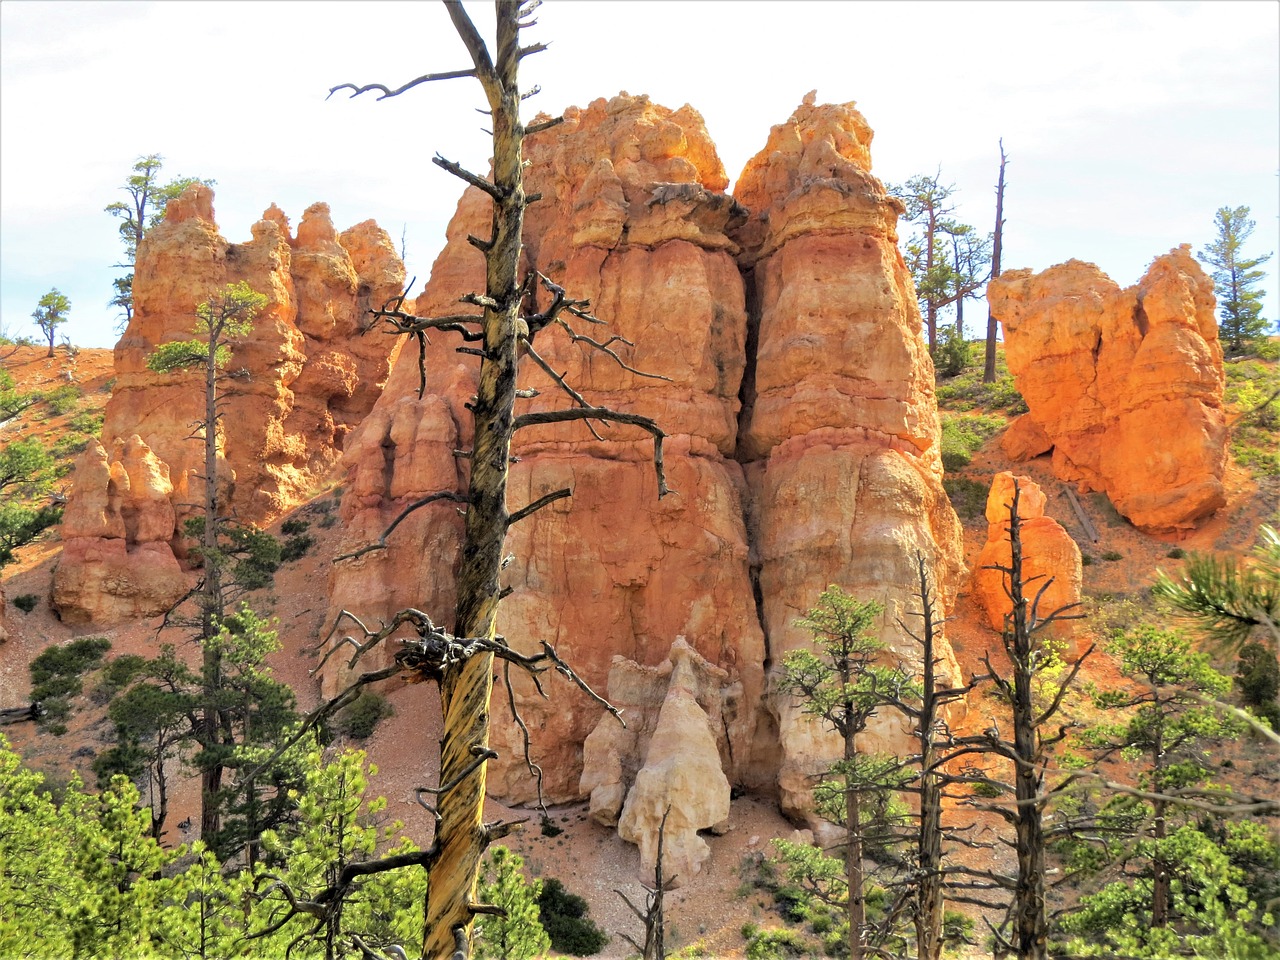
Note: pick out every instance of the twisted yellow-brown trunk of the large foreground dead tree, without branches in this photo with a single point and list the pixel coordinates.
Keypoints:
(465, 689)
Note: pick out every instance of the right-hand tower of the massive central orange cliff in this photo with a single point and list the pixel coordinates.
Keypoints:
(840, 429)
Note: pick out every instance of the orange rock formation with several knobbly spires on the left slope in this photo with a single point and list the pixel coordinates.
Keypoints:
(310, 380)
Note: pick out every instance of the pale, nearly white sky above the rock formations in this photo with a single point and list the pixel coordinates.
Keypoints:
(1127, 125)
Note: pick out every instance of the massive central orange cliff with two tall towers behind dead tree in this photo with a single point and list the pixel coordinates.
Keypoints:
(803, 440)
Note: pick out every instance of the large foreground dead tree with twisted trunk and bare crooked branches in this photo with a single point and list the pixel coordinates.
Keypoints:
(463, 665)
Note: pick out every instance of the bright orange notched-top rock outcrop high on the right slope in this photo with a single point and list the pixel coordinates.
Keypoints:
(1108, 373)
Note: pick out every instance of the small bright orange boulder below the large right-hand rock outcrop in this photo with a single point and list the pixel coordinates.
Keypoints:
(1052, 560)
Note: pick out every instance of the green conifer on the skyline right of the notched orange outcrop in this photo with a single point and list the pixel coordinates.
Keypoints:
(1236, 278)
